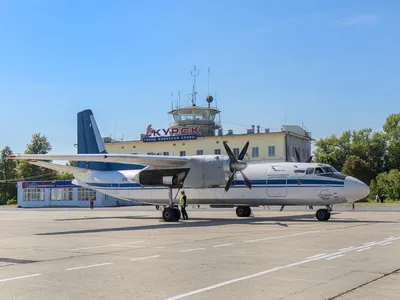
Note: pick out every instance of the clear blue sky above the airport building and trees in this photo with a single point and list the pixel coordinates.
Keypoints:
(333, 65)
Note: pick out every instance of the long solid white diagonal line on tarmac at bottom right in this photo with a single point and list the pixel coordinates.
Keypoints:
(221, 284)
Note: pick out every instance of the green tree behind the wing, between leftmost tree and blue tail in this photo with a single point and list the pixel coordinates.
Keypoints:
(38, 145)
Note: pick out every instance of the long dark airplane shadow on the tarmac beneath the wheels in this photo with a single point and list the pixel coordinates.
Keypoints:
(208, 222)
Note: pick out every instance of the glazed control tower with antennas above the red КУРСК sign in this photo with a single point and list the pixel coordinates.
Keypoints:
(202, 117)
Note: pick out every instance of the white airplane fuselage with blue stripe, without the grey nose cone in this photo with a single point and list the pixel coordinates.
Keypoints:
(272, 184)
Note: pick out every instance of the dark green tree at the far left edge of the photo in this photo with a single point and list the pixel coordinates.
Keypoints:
(8, 190)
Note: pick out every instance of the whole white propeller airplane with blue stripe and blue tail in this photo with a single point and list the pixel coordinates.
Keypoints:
(215, 180)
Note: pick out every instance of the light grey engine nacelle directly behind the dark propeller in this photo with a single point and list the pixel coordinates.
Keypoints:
(208, 171)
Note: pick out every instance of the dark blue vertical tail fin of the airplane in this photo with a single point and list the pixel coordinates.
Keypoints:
(90, 140)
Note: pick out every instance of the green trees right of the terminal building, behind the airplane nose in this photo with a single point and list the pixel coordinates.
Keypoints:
(373, 157)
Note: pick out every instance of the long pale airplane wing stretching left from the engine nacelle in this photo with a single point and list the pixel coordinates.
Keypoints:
(151, 160)
